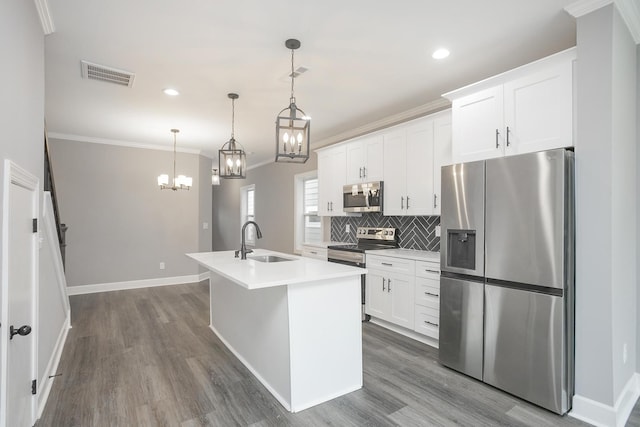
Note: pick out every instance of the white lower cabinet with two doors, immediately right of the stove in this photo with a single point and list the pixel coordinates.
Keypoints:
(390, 290)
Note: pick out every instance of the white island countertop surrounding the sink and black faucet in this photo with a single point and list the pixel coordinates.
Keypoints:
(252, 274)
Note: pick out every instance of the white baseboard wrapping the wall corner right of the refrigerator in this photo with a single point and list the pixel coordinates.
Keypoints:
(601, 415)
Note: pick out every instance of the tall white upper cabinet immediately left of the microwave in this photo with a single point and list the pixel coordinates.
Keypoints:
(331, 178)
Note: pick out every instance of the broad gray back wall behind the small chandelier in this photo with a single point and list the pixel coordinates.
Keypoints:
(121, 225)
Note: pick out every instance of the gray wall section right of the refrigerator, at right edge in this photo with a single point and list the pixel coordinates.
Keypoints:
(606, 206)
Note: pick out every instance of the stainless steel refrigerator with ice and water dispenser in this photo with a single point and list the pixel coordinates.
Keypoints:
(507, 283)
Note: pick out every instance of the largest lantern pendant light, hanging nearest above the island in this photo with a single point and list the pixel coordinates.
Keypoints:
(292, 125)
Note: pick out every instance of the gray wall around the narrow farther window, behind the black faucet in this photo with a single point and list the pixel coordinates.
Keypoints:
(274, 204)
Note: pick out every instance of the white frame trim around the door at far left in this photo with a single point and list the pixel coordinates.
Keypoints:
(16, 175)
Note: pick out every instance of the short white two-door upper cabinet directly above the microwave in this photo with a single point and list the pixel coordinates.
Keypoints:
(364, 160)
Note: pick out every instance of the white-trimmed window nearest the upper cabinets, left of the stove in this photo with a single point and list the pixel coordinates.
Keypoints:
(308, 223)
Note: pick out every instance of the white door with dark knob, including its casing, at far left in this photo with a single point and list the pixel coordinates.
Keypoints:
(18, 296)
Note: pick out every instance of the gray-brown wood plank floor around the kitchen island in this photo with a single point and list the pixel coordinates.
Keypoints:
(147, 357)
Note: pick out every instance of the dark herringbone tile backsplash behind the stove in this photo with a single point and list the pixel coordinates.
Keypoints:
(414, 232)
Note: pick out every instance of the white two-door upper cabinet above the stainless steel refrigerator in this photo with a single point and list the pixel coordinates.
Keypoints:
(521, 111)
